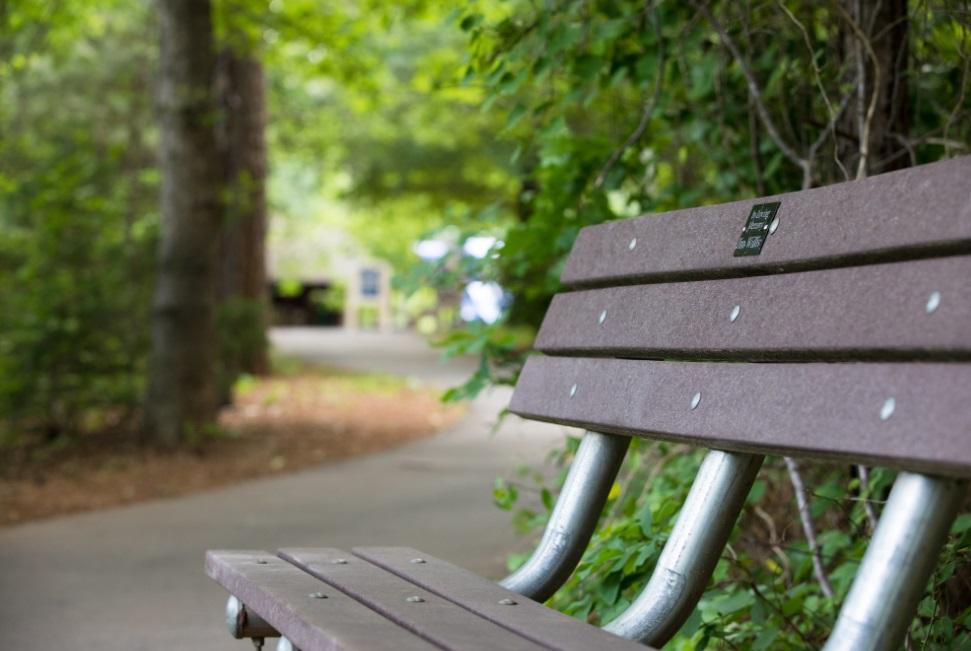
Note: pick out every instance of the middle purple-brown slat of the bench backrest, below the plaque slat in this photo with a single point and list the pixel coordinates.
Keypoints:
(869, 312)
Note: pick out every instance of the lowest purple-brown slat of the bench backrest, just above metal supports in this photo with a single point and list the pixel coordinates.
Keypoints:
(915, 416)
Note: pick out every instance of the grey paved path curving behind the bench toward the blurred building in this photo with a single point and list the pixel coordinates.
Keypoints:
(131, 578)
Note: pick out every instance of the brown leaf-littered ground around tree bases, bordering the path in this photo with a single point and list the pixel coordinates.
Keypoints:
(277, 425)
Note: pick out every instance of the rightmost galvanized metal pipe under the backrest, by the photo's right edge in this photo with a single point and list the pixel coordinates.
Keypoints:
(898, 562)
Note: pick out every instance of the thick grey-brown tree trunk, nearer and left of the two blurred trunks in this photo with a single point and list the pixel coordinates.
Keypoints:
(182, 397)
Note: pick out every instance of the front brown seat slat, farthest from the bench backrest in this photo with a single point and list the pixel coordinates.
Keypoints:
(280, 593)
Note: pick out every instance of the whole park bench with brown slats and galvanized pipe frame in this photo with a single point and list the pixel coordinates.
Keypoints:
(832, 323)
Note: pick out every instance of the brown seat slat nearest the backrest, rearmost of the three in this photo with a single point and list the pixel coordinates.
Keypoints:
(481, 596)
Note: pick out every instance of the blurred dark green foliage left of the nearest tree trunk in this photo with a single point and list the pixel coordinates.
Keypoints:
(77, 216)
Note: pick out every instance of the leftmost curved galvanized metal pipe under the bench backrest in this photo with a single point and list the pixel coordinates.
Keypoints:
(574, 517)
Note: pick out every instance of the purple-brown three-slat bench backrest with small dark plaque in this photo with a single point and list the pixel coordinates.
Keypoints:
(843, 330)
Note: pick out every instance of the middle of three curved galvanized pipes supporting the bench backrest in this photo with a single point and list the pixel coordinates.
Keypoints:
(692, 550)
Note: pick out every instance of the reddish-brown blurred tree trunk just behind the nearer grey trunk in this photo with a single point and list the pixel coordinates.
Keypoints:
(242, 275)
